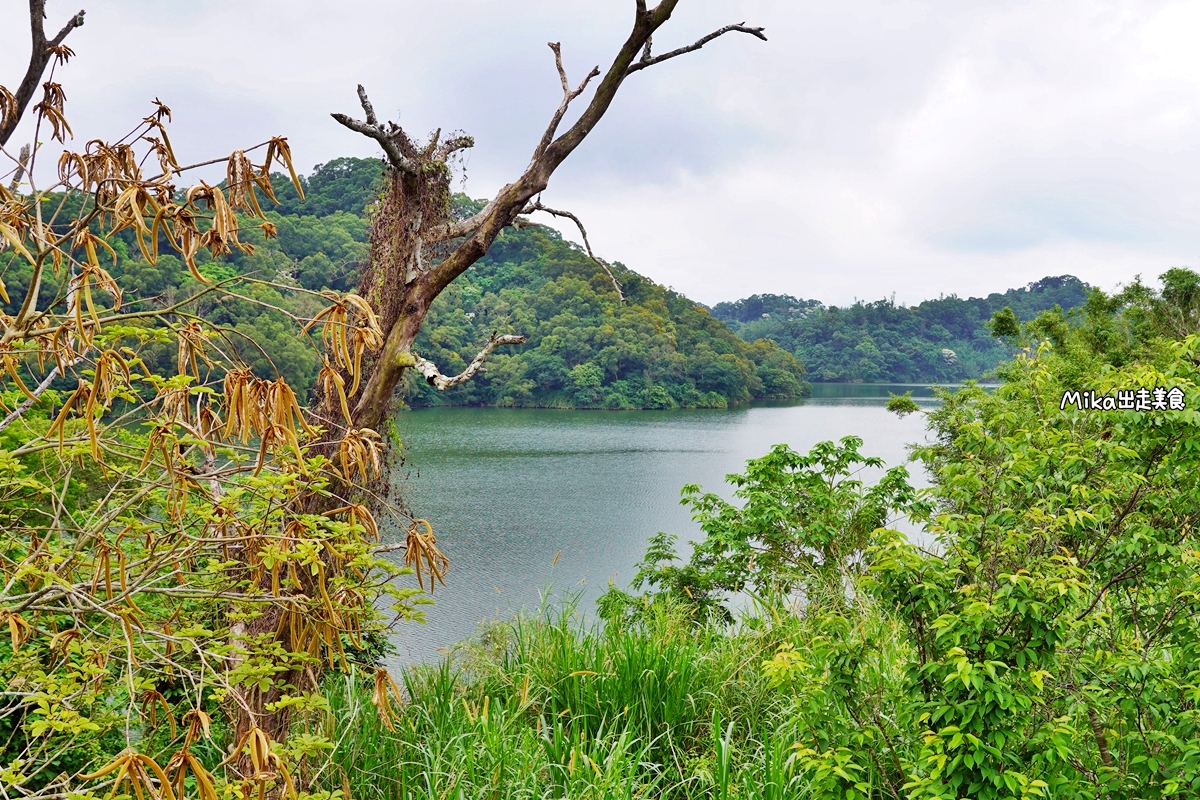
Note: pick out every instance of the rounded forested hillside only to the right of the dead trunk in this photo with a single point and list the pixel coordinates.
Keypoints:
(586, 348)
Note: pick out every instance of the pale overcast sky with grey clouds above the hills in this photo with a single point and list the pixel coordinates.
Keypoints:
(867, 149)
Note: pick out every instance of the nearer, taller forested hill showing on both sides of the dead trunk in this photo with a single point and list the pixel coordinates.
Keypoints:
(585, 348)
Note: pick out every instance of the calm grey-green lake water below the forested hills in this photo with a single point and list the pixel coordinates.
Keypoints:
(507, 490)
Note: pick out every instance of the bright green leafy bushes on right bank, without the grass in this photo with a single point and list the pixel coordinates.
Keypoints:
(1047, 647)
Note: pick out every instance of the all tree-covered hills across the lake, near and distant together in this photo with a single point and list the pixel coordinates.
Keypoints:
(585, 346)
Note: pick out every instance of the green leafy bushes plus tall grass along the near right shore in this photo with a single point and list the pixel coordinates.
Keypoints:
(1045, 648)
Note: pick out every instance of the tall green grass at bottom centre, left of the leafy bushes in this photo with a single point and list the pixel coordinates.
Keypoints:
(549, 707)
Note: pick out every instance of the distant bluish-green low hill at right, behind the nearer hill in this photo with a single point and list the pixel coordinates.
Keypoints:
(939, 341)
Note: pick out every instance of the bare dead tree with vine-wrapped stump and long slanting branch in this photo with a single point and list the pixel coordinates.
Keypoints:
(416, 218)
